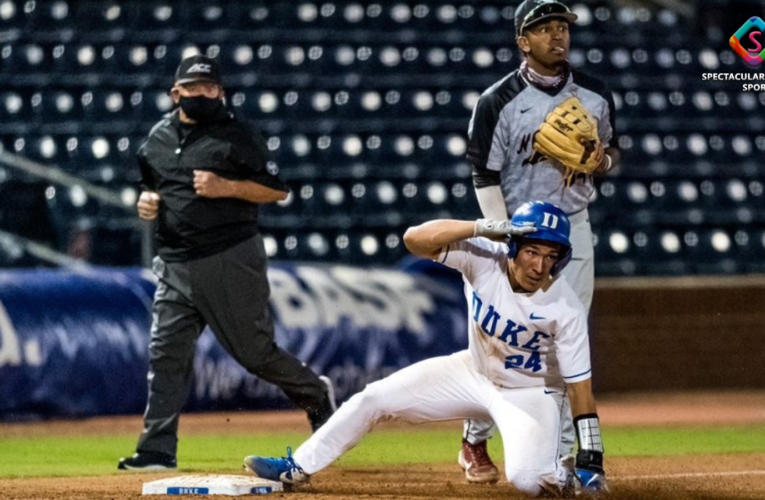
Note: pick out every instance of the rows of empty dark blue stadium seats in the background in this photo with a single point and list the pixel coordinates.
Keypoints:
(365, 107)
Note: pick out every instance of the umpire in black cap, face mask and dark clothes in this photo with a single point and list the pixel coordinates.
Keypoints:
(204, 173)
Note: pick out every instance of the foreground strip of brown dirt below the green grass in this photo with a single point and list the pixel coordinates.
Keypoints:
(716, 477)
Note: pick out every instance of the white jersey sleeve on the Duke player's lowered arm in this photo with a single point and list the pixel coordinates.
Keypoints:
(573, 346)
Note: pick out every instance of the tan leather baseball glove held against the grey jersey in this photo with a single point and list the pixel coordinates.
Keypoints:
(569, 135)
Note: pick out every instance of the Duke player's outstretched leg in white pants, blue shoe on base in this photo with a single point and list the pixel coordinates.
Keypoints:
(442, 388)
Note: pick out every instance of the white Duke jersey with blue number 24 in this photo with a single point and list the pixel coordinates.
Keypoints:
(517, 339)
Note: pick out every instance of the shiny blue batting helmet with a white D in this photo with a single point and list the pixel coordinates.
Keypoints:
(551, 225)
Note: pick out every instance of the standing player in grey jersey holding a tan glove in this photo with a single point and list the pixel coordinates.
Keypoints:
(541, 132)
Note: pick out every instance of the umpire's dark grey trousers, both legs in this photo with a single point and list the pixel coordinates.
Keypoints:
(228, 291)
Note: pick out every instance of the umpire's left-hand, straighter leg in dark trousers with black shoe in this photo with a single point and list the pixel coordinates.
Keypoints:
(176, 326)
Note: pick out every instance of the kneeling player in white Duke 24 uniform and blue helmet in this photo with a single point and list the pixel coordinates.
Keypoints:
(528, 348)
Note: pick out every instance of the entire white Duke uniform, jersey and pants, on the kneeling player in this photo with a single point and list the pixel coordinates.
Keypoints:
(522, 349)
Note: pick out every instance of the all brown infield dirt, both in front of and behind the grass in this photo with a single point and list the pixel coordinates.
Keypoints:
(698, 477)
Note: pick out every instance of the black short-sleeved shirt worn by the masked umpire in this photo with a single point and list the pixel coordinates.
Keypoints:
(190, 226)
